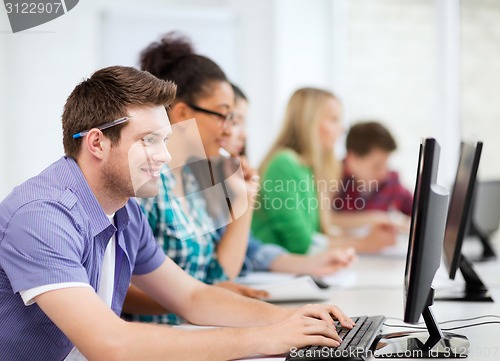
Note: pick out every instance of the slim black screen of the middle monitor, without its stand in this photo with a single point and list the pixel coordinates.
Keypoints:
(460, 205)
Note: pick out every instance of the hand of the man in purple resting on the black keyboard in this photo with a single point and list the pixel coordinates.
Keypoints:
(307, 325)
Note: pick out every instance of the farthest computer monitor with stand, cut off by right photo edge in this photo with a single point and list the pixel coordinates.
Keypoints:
(485, 217)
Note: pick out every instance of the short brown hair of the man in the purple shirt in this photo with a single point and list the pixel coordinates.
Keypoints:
(105, 96)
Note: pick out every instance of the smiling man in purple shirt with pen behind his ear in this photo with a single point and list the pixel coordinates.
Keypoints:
(72, 240)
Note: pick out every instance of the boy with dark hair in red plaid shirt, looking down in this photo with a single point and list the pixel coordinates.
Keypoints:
(369, 189)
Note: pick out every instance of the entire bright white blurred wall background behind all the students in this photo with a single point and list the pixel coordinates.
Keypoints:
(421, 67)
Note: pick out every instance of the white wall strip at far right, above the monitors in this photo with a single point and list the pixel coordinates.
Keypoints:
(480, 82)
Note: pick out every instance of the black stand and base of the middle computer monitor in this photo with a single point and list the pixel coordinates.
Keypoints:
(474, 291)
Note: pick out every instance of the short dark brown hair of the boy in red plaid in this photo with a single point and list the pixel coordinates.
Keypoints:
(366, 136)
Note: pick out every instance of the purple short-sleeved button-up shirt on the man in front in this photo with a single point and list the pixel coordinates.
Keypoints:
(53, 230)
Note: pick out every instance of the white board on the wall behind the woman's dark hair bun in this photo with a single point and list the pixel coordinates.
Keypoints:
(210, 28)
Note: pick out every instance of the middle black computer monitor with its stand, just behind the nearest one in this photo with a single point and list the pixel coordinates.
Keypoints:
(458, 220)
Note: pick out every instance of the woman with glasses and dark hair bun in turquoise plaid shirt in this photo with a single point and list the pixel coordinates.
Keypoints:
(178, 214)
